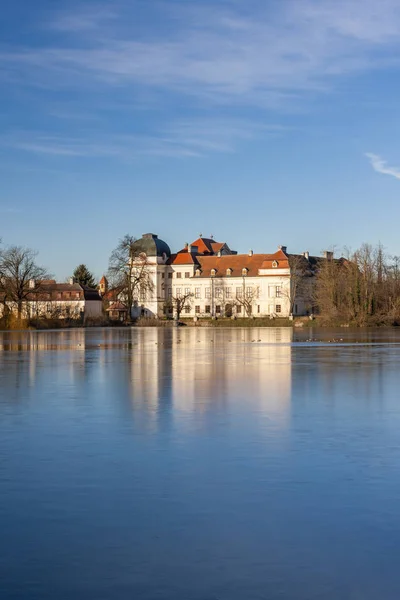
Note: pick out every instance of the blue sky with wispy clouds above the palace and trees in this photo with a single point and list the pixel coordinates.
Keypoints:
(258, 122)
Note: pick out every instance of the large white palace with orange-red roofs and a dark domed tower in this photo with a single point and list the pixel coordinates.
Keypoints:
(213, 280)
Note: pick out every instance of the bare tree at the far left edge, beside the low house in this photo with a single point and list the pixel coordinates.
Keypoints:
(21, 278)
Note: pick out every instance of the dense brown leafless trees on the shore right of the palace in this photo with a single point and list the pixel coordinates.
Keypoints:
(361, 289)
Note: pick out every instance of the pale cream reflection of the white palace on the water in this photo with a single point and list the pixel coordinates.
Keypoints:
(197, 371)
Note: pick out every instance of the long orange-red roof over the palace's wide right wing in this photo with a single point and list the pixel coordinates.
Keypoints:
(238, 262)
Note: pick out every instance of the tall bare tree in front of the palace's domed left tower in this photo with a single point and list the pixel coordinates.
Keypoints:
(129, 272)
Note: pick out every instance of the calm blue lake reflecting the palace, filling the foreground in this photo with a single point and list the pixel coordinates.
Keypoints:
(200, 464)
